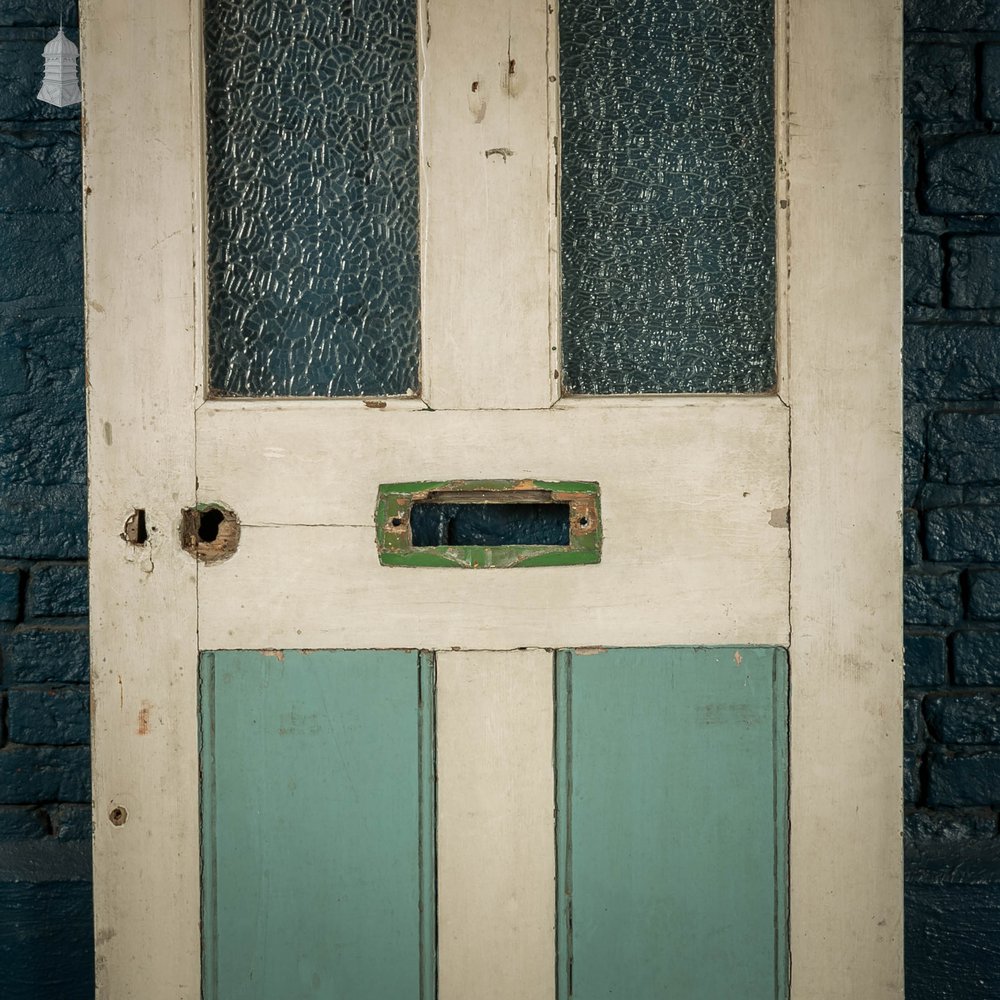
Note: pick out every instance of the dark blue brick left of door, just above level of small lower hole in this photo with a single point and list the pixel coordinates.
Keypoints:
(44, 774)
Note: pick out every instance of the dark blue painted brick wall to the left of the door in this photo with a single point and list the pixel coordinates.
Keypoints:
(45, 908)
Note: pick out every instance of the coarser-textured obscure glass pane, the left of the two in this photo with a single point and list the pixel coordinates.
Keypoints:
(312, 180)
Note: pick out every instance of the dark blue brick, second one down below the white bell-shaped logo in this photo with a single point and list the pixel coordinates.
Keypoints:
(43, 257)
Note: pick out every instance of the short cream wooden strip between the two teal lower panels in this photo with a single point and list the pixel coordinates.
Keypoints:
(495, 844)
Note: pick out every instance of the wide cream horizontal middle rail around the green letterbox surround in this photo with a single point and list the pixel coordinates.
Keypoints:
(693, 502)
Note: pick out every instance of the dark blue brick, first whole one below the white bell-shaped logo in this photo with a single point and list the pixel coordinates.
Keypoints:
(40, 171)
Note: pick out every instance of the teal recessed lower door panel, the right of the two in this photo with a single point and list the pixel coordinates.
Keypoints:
(671, 829)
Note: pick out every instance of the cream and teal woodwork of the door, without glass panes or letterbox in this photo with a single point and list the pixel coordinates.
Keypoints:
(516, 847)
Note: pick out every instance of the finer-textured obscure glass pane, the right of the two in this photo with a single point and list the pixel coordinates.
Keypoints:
(667, 195)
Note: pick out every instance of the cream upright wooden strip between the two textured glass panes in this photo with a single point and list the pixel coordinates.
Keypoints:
(485, 204)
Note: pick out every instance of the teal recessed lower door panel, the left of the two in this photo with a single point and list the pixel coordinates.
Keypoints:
(317, 817)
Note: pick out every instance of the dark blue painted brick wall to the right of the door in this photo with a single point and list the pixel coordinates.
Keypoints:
(952, 476)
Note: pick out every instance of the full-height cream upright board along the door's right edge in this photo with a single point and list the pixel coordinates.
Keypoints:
(846, 657)
